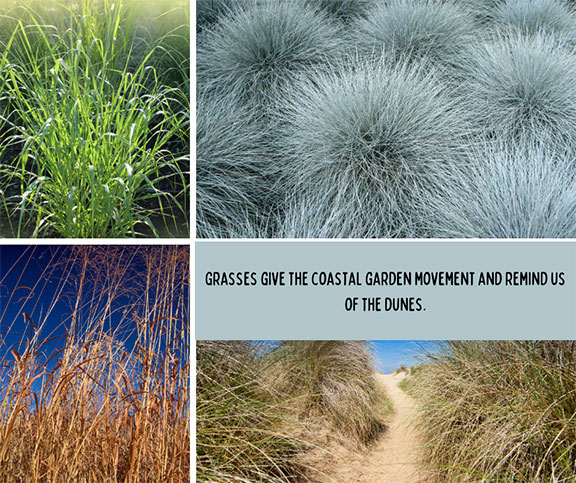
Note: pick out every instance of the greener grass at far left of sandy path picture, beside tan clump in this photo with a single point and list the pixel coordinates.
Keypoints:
(241, 432)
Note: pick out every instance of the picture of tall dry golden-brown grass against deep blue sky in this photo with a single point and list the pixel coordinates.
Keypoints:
(105, 395)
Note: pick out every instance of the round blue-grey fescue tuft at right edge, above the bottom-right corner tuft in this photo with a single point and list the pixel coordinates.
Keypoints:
(522, 85)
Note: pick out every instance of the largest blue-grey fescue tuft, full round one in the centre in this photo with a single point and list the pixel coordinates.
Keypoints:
(361, 144)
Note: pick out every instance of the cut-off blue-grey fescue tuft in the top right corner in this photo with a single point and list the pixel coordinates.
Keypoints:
(531, 17)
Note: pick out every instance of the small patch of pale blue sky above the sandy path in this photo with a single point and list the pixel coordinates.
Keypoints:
(391, 354)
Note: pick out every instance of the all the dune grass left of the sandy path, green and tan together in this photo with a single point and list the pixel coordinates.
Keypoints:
(260, 408)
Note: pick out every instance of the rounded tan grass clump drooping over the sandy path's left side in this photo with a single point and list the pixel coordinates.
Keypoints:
(334, 381)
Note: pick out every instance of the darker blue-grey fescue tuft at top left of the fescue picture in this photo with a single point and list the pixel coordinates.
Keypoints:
(253, 51)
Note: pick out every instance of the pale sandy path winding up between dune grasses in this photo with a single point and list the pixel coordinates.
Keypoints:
(394, 458)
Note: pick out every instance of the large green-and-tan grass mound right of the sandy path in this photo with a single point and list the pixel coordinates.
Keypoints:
(500, 410)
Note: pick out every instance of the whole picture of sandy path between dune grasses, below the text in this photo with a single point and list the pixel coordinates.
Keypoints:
(386, 411)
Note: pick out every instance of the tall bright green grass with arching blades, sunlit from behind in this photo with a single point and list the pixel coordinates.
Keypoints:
(94, 133)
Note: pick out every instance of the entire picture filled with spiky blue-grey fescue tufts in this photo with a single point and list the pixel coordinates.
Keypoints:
(359, 119)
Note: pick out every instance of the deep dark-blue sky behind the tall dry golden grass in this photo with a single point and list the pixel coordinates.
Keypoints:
(33, 296)
